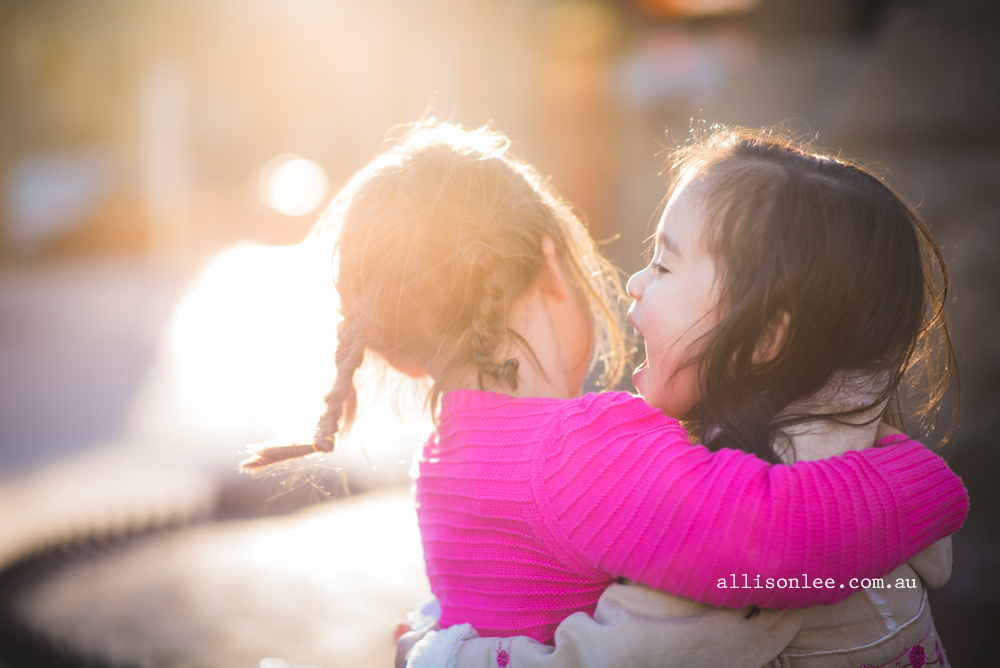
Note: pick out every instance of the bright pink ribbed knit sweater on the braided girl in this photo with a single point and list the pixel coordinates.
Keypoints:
(530, 508)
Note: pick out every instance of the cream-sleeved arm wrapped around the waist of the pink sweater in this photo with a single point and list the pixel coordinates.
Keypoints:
(632, 626)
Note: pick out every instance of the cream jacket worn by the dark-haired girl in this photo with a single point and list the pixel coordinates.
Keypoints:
(636, 627)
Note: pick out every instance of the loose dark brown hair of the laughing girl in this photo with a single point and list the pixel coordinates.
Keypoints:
(827, 247)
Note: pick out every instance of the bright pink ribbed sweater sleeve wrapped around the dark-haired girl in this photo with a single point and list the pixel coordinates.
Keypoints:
(620, 489)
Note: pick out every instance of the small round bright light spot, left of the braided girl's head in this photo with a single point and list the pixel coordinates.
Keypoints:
(292, 185)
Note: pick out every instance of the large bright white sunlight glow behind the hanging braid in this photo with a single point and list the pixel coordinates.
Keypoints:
(250, 356)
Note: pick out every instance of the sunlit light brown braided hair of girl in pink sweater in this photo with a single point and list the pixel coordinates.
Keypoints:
(436, 239)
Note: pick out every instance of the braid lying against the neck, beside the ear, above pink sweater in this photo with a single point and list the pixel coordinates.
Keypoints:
(488, 324)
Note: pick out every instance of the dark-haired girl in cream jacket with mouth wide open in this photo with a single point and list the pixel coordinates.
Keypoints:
(787, 297)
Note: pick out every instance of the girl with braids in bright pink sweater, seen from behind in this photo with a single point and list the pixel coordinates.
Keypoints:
(459, 263)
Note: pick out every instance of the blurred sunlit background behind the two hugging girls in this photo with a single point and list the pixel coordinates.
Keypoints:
(161, 164)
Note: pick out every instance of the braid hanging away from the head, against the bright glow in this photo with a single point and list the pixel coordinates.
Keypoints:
(341, 402)
